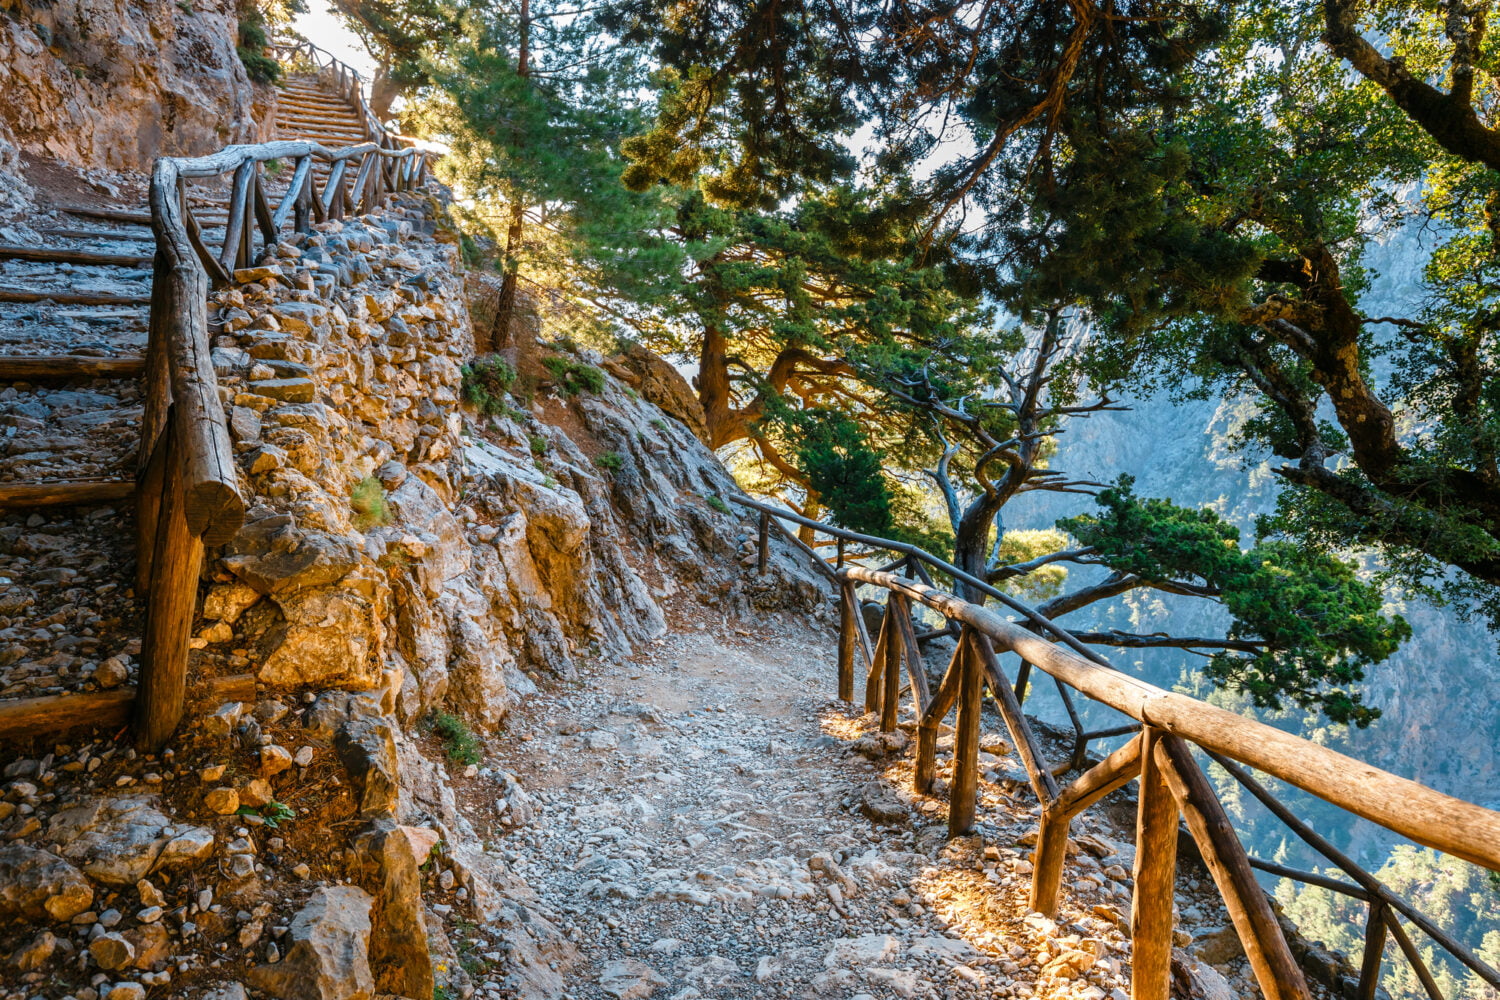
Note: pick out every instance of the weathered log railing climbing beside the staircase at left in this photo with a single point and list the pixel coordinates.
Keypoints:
(188, 485)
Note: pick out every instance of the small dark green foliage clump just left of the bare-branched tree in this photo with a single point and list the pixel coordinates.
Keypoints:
(845, 472)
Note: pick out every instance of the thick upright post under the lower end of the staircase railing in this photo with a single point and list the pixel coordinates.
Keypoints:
(173, 600)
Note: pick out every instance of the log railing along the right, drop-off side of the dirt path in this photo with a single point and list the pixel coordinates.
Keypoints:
(1166, 731)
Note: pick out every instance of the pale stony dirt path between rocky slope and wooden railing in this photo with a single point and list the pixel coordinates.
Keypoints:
(704, 830)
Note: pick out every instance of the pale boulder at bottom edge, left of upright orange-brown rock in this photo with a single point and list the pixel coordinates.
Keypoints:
(326, 951)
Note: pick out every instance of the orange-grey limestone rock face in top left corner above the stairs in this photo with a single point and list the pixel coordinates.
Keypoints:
(116, 83)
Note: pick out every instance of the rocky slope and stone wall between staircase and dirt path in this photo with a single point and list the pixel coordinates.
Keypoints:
(413, 567)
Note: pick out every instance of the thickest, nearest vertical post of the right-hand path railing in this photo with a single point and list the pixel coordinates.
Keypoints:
(1151, 921)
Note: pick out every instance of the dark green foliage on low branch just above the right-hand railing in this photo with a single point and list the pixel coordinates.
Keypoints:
(1319, 624)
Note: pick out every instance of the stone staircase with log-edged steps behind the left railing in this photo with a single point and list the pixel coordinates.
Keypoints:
(74, 329)
